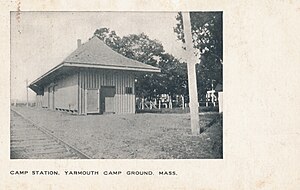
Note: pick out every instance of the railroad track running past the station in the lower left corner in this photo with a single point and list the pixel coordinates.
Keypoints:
(29, 141)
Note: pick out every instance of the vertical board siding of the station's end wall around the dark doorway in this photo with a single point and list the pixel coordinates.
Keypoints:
(123, 103)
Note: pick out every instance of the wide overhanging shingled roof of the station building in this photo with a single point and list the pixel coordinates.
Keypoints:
(93, 54)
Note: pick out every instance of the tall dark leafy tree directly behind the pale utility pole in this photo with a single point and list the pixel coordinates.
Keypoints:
(207, 32)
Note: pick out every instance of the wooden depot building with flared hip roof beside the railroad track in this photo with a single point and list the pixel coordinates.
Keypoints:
(92, 79)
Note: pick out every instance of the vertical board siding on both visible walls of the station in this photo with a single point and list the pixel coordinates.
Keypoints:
(70, 91)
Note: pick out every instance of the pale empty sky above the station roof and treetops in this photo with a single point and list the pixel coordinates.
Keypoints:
(41, 40)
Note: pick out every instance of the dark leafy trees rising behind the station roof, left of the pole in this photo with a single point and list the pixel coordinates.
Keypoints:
(173, 77)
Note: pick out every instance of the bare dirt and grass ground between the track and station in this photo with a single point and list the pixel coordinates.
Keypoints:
(133, 136)
